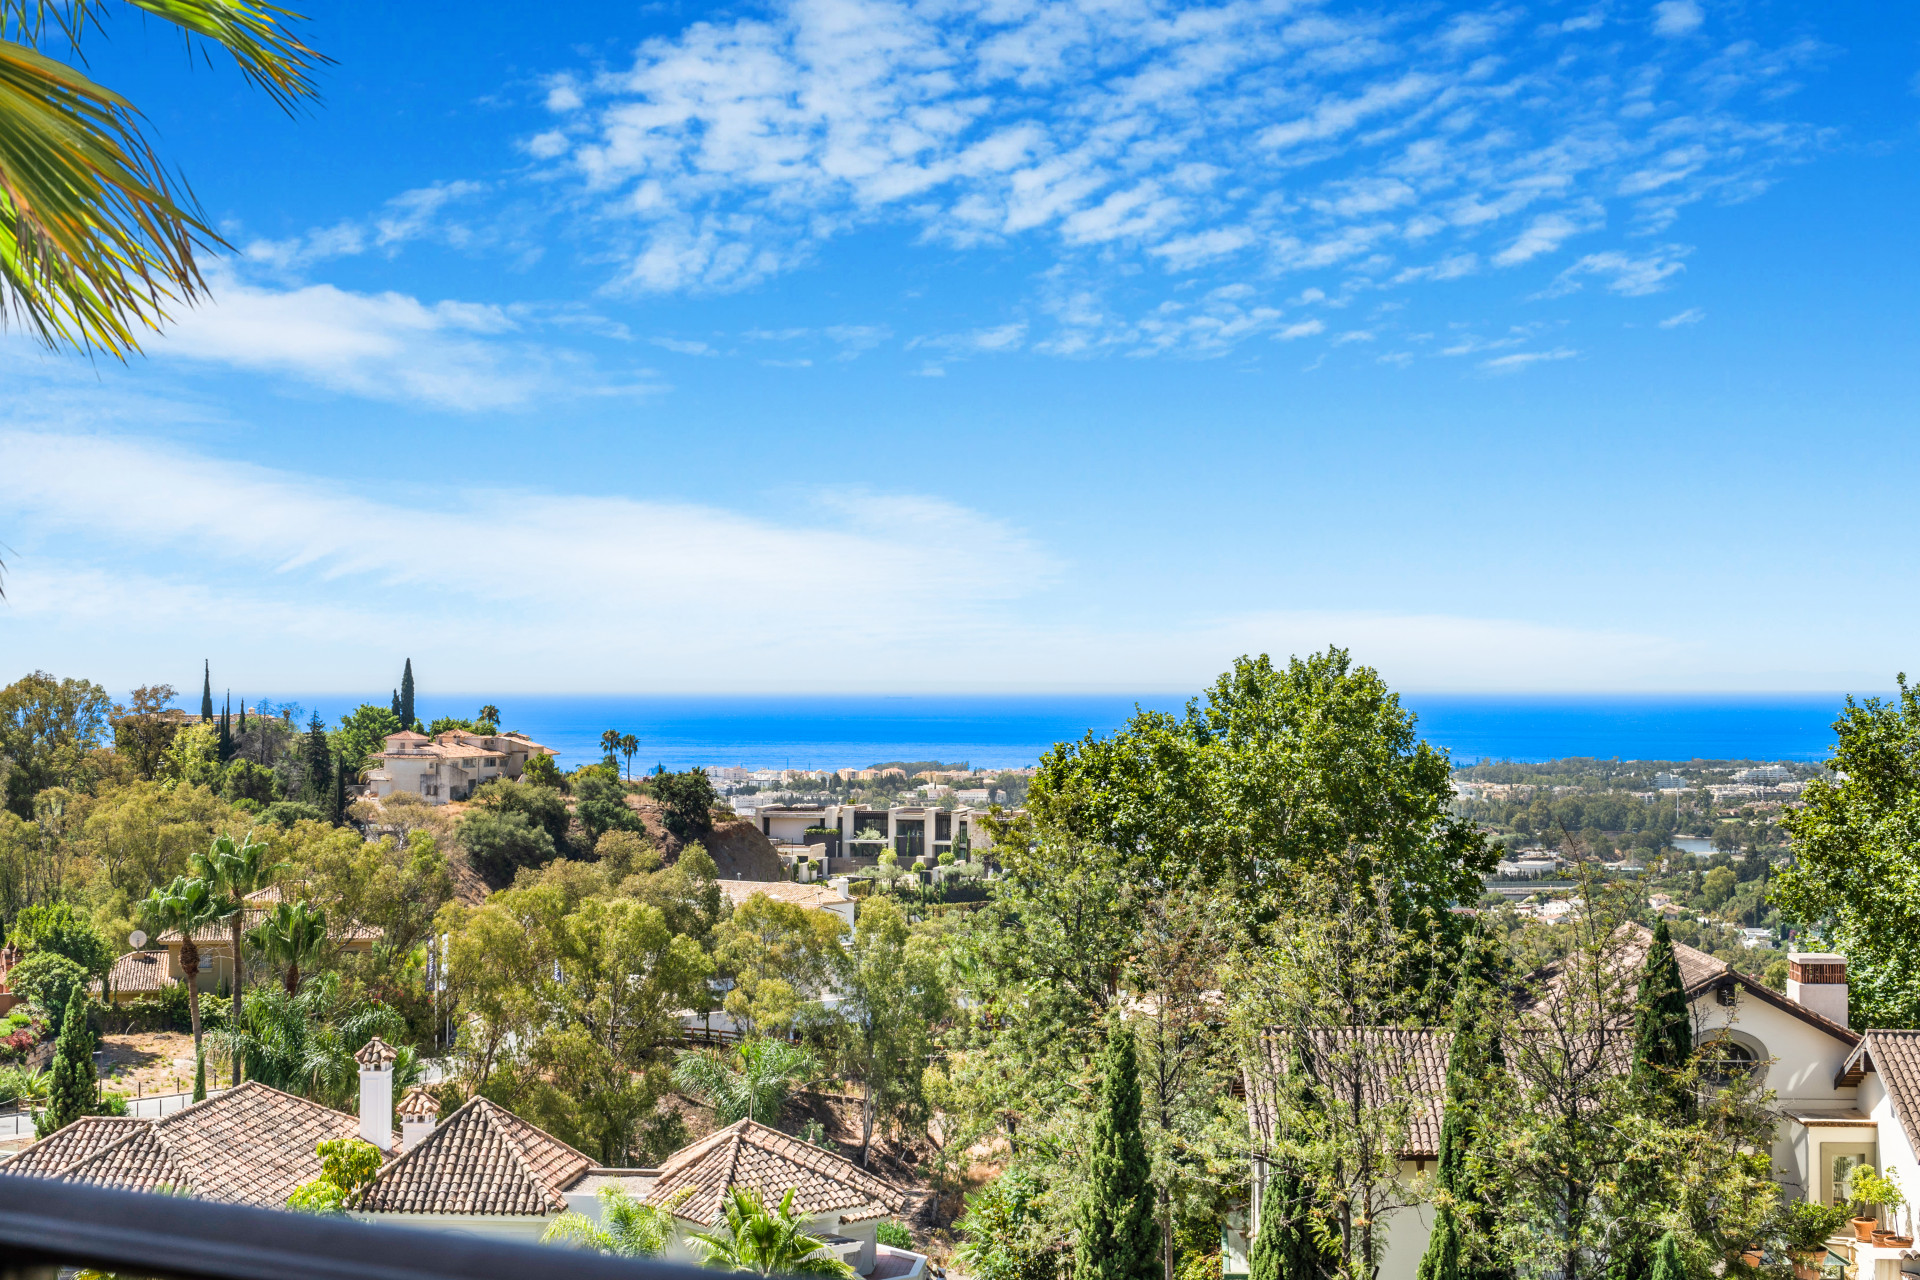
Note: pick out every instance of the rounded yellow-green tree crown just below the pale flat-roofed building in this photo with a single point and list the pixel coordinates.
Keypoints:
(782, 959)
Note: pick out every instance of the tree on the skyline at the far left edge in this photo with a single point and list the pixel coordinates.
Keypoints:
(47, 726)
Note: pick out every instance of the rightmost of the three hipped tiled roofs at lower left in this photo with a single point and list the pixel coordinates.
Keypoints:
(769, 1162)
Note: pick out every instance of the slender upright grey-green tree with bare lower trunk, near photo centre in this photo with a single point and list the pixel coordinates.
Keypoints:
(894, 997)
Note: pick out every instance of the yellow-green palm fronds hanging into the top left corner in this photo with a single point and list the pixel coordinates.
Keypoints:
(95, 243)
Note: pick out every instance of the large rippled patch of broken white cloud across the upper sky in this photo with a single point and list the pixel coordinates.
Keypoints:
(1236, 141)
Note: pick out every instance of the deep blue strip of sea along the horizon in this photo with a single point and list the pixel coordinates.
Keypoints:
(827, 732)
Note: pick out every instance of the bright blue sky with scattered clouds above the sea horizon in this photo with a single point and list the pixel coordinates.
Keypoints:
(1007, 346)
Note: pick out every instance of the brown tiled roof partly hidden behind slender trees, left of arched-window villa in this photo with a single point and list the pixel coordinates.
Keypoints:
(1395, 1064)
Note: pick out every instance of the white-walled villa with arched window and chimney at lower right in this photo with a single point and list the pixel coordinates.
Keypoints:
(1842, 1099)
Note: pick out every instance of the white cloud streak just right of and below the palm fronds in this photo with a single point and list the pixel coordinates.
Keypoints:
(381, 346)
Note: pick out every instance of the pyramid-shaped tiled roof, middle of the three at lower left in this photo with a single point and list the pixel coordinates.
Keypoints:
(481, 1160)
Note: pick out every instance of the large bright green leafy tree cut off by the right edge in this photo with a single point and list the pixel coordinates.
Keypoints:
(1856, 863)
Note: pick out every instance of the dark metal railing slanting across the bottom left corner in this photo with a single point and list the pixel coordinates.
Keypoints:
(47, 1227)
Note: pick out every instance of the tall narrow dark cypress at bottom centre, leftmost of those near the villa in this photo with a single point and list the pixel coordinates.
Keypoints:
(1118, 1235)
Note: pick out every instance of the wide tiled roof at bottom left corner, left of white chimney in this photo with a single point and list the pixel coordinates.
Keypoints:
(249, 1147)
